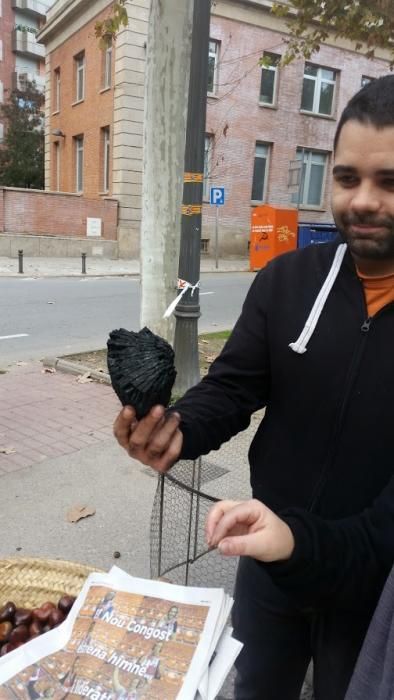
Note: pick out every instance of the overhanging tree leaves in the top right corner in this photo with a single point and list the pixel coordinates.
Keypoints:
(369, 25)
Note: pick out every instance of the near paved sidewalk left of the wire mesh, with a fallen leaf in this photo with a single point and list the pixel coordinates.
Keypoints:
(58, 433)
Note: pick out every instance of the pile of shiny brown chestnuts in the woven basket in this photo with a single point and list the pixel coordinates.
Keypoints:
(19, 625)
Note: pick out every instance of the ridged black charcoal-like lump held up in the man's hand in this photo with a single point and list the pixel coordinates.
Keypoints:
(141, 367)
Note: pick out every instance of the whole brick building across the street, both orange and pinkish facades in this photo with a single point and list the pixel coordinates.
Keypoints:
(261, 122)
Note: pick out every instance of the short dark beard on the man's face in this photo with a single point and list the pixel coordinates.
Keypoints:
(378, 246)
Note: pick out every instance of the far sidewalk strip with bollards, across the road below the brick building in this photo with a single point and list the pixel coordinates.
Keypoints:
(101, 267)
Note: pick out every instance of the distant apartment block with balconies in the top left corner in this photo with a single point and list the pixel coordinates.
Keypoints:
(21, 56)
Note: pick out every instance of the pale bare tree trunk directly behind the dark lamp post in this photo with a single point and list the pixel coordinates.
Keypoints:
(166, 99)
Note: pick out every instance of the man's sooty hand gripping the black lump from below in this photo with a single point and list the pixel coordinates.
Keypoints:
(155, 440)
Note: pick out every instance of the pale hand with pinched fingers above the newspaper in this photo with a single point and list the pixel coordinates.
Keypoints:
(248, 528)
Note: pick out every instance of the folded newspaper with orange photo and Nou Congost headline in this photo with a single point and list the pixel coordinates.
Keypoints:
(128, 638)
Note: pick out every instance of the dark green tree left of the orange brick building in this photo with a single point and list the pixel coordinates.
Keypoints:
(22, 151)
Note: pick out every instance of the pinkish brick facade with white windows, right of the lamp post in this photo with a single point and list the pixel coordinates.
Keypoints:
(260, 121)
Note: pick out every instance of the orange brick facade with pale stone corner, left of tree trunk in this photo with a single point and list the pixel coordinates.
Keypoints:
(94, 109)
